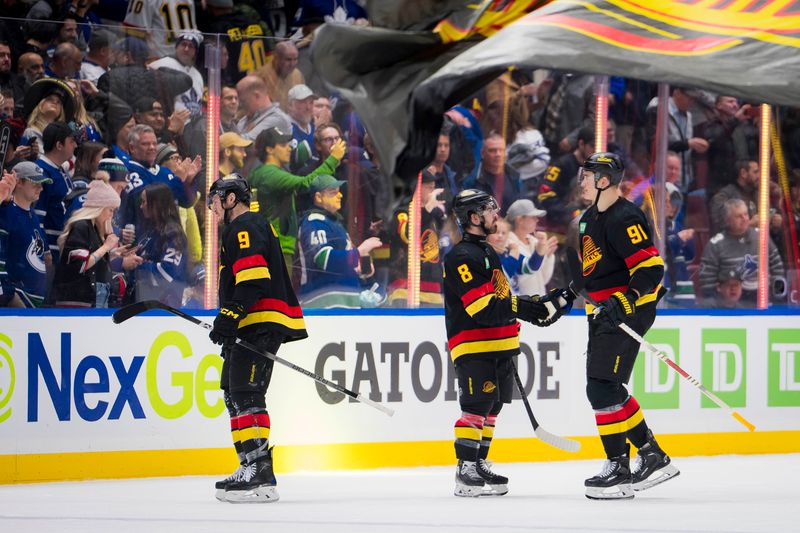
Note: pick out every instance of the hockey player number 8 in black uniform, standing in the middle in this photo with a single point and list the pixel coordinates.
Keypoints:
(483, 335)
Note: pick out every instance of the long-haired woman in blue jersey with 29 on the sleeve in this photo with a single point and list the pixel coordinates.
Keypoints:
(163, 246)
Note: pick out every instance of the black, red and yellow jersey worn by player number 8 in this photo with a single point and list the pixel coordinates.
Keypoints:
(478, 309)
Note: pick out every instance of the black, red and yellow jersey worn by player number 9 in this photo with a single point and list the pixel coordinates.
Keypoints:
(253, 274)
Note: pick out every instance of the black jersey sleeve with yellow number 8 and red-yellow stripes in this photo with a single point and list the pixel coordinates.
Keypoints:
(484, 292)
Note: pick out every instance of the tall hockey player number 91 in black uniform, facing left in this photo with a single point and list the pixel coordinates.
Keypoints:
(622, 271)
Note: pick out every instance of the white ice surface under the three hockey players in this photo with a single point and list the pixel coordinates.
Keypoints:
(729, 494)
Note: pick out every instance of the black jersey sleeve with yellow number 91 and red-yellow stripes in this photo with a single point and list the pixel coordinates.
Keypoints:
(631, 239)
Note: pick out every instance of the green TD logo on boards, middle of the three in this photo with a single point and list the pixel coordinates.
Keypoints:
(725, 365)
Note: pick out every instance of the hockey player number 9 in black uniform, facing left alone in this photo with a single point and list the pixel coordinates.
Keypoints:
(258, 305)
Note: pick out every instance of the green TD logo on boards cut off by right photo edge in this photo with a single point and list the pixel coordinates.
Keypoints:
(784, 368)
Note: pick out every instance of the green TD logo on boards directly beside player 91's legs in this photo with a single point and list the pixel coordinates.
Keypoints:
(655, 385)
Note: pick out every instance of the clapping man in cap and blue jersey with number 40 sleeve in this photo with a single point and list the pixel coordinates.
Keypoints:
(331, 266)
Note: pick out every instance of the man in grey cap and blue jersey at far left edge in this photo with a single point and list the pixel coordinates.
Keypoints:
(23, 249)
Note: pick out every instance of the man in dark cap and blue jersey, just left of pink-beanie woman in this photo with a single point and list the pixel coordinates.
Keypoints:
(59, 147)
